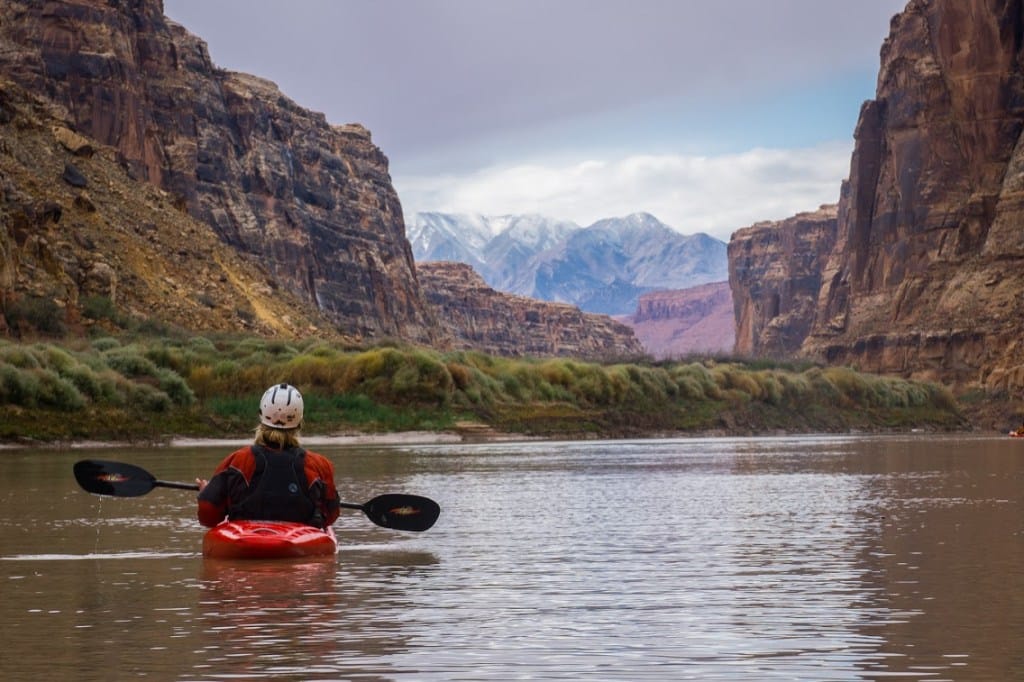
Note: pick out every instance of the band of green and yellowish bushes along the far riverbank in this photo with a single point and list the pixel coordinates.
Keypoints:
(153, 390)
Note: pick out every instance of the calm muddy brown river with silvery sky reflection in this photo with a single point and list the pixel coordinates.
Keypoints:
(797, 559)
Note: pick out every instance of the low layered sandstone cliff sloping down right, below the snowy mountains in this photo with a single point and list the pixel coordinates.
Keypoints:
(483, 319)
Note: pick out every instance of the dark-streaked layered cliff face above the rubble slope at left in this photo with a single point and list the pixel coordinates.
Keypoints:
(314, 202)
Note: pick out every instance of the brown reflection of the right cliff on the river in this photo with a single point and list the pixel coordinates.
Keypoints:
(945, 562)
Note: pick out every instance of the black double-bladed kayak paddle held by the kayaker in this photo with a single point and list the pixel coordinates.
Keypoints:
(402, 513)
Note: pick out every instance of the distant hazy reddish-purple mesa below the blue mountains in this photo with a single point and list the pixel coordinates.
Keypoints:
(678, 323)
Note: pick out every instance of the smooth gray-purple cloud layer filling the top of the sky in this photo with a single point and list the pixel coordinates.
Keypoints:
(428, 75)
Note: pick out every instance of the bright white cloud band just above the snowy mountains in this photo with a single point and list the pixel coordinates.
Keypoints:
(693, 194)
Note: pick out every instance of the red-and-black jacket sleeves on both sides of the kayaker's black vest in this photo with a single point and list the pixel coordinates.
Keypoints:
(234, 478)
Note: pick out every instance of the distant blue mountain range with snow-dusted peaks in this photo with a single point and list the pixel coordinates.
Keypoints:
(602, 269)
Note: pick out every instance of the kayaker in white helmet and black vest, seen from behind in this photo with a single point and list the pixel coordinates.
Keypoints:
(274, 480)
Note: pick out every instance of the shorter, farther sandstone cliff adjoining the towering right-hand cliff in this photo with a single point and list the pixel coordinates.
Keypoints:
(776, 277)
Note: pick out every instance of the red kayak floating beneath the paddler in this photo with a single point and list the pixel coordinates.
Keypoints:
(268, 540)
